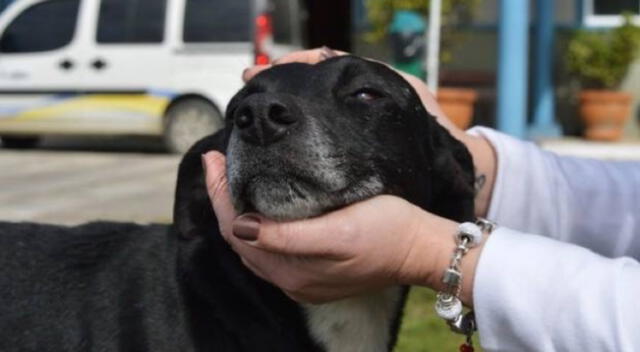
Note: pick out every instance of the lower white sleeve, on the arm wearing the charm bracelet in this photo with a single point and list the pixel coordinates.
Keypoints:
(532, 293)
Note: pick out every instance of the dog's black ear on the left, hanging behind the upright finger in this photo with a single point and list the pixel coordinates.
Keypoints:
(192, 211)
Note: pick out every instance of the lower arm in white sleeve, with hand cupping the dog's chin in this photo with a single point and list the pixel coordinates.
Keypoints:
(530, 293)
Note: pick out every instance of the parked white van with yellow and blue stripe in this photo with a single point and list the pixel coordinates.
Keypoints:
(132, 67)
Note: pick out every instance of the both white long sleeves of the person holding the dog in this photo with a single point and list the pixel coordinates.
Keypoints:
(561, 272)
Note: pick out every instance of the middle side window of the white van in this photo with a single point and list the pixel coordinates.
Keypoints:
(131, 21)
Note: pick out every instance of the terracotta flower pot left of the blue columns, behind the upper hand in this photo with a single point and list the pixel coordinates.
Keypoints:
(457, 104)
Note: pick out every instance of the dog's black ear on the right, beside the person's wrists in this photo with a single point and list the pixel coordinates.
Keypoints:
(453, 174)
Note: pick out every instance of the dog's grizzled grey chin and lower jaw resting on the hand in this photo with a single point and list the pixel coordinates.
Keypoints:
(283, 200)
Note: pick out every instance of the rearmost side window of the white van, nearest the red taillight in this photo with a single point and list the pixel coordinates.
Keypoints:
(217, 21)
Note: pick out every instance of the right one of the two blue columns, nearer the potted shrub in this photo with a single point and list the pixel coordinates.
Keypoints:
(544, 124)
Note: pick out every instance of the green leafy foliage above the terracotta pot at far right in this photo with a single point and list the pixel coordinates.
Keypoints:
(601, 60)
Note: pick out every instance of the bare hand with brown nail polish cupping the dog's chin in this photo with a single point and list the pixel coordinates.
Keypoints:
(364, 247)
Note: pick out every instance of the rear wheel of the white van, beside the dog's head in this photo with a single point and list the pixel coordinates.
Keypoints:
(187, 122)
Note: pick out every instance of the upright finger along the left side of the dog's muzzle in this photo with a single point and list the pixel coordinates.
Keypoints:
(218, 189)
